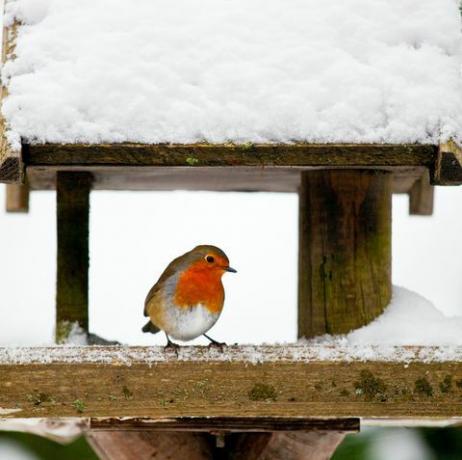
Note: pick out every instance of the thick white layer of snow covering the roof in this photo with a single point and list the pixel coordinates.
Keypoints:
(258, 71)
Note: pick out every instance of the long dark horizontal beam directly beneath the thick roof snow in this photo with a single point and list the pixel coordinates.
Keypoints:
(199, 155)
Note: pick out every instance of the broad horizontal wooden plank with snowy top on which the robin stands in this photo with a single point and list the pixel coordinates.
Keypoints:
(247, 381)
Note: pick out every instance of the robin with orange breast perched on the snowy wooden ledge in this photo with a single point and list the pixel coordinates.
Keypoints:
(188, 298)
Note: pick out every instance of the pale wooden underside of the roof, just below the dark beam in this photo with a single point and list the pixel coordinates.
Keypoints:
(216, 178)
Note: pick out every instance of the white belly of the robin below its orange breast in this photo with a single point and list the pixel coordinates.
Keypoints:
(189, 323)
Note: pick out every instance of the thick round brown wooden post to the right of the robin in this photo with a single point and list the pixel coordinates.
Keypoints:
(344, 250)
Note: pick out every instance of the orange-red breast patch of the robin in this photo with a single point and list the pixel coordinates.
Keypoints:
(200, 286)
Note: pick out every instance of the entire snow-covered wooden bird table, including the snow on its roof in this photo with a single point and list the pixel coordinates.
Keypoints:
(245, 402)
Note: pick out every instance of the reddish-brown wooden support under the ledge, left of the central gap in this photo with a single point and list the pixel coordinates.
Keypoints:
(145, 445)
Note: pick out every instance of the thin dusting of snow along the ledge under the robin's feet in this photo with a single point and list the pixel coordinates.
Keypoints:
(128, 356)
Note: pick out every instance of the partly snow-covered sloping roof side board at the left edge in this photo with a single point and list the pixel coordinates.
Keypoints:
(11, 166)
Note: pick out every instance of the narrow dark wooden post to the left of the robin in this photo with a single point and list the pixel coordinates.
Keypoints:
(73, 193)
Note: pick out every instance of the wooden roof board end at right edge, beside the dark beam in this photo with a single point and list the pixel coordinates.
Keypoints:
(448, 165)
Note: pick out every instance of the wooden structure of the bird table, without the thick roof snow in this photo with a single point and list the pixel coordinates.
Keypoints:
(263, 403)
